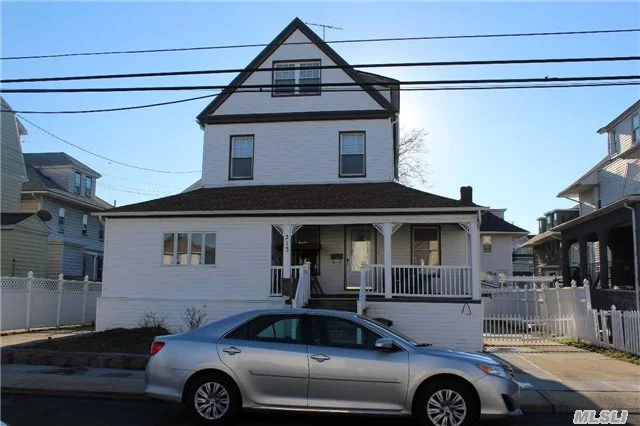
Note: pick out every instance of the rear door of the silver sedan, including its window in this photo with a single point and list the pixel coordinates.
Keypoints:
(269, 358)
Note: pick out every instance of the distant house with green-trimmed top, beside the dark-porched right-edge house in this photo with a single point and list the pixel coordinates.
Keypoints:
(547, 252)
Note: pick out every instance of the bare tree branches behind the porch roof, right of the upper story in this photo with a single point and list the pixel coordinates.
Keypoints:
(413, 168)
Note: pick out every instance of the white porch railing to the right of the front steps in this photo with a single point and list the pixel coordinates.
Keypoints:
(419, 280)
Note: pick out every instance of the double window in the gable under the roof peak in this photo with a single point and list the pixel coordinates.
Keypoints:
(296, 78)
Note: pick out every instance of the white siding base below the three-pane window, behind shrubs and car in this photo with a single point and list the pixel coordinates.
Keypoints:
(114, 312)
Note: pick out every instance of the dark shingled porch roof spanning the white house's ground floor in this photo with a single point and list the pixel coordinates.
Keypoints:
(328, 198)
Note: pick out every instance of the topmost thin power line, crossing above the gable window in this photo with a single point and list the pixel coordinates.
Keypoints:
(369, 40)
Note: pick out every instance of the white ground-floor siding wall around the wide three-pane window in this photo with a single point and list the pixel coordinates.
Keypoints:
(133, 266)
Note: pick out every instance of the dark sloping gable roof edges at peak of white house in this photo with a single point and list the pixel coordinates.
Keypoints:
(297, 24)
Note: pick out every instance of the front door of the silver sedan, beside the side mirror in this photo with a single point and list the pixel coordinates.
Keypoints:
(346, 371)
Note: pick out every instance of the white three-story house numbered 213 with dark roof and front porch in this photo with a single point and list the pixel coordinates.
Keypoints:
(300, 178)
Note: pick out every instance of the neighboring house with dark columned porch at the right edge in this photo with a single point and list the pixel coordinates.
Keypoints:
(606, 231)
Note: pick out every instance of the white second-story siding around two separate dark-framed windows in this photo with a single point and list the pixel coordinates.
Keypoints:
(297, 152)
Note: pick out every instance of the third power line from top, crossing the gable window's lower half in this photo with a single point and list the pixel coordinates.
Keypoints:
(342, 84)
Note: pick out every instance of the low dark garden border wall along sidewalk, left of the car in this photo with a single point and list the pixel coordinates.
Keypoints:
(74, 359)
